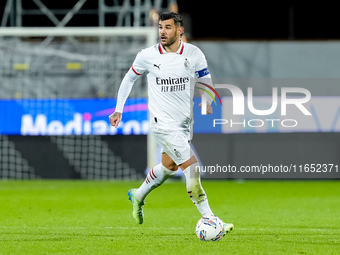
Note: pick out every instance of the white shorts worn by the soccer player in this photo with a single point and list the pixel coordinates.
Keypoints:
(175, 143)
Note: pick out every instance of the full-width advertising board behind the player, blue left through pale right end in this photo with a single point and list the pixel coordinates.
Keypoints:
(90, 117)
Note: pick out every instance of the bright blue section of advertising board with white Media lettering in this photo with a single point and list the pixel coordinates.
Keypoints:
(84, 117)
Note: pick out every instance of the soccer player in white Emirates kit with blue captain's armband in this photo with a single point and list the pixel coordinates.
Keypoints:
(171, 66)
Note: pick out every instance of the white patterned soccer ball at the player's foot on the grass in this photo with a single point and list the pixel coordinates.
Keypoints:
(210, 229)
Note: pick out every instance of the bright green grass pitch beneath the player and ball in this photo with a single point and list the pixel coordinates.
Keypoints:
(94, 217)
